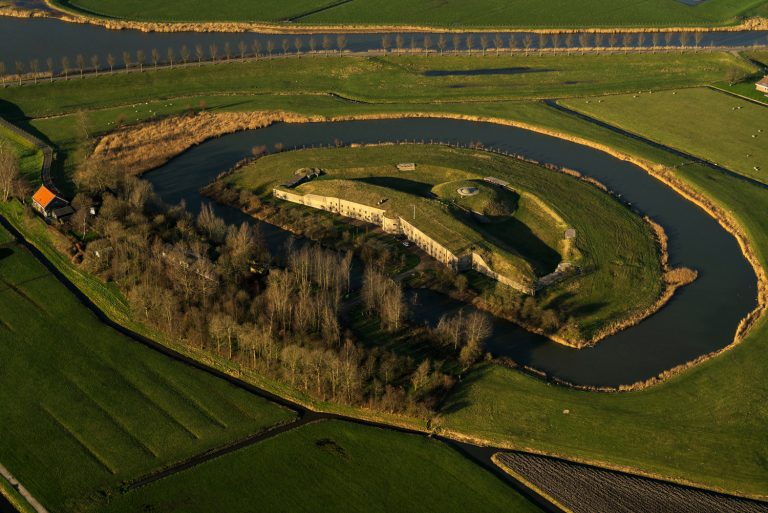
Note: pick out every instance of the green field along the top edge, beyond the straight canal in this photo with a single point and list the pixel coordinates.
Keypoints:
(431, 13)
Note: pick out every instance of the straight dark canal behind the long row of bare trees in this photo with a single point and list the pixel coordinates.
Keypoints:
(25, 39)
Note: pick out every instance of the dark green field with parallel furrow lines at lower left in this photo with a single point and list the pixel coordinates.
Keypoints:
(85, 409)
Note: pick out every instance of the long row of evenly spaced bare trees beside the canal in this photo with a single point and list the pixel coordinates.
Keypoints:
(186, 55)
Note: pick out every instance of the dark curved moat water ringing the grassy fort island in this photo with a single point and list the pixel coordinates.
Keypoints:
(701, 317)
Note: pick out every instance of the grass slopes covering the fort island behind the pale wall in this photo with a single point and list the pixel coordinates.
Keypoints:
(621, 268)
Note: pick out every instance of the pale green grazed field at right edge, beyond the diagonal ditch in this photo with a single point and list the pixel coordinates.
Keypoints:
(723, 129)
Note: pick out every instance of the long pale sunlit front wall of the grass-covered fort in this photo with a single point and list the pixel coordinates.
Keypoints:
(400, 226)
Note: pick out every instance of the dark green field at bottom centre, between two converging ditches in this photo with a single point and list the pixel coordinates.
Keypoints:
(331, 466)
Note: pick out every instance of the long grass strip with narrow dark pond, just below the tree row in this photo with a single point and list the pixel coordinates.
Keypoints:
(390, 79)
